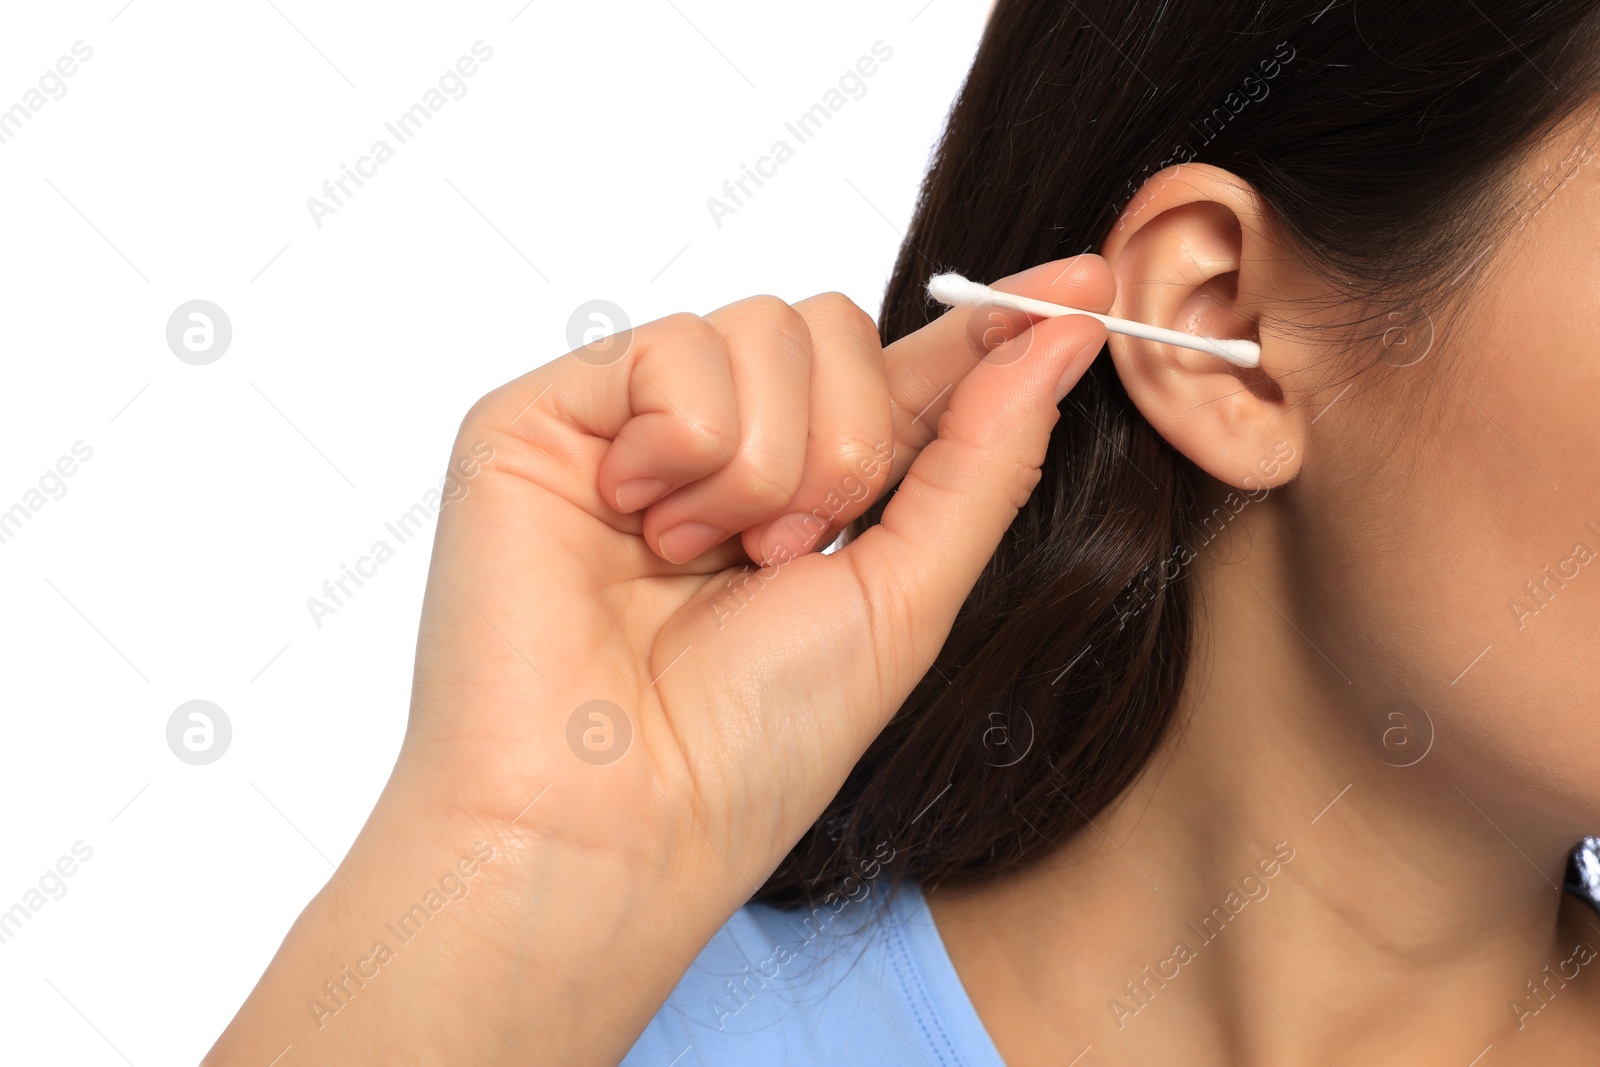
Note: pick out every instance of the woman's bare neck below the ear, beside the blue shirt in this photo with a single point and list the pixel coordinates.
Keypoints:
(1278, 890)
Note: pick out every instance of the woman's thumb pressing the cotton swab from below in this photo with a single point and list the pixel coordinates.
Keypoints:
(962, 492)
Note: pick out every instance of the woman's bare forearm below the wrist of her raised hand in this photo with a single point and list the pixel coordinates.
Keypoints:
(447, 941)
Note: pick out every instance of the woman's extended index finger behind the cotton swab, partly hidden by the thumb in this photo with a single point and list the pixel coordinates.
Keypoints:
(924, 367)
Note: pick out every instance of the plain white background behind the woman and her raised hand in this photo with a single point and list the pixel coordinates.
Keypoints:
(180, 559)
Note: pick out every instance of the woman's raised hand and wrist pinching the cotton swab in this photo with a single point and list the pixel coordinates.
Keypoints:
(614, 698)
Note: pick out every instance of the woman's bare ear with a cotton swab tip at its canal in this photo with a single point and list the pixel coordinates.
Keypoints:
(1193, 252)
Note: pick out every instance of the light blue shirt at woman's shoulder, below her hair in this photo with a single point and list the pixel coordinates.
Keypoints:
(863, 981)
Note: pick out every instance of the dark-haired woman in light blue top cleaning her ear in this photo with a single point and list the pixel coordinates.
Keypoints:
(1193, 716)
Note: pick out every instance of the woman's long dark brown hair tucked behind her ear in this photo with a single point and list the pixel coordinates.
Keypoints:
(1382, 135)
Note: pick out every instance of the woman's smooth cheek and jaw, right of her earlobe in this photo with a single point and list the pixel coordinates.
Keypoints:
(1460, 567)
